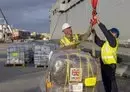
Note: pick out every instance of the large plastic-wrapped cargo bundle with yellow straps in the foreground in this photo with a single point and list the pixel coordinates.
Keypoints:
(73, 71)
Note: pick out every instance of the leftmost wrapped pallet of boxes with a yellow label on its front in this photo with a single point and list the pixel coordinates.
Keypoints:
(15, 55)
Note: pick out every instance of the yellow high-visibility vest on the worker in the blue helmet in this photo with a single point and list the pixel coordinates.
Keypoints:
(109, 54)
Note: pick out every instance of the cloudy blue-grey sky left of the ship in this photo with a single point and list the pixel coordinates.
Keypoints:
(32, 15)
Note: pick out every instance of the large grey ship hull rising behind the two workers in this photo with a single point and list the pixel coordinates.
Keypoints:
(113, 13)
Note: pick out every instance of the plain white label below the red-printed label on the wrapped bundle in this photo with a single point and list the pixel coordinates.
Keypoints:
(76, 87)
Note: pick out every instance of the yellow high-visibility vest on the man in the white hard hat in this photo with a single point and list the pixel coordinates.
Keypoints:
(66, 42)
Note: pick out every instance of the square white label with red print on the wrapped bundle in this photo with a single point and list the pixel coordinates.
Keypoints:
(75, 74)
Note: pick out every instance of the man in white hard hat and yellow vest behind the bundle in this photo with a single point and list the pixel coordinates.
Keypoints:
(70, 40)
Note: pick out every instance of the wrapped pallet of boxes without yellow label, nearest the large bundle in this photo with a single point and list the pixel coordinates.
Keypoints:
(42, 54)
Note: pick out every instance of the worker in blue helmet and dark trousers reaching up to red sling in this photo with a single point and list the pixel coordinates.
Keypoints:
(108, 56)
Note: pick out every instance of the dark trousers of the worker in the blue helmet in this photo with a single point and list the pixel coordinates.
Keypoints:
(108, 76)
